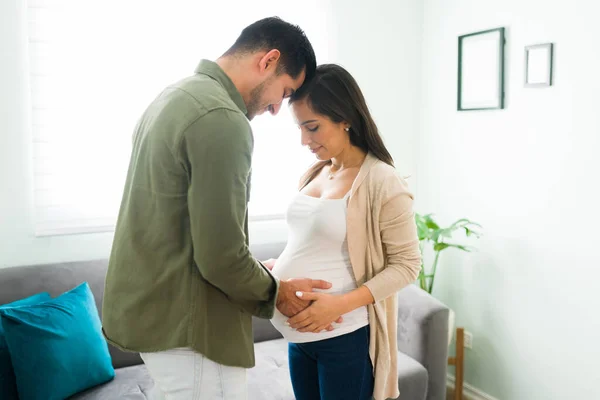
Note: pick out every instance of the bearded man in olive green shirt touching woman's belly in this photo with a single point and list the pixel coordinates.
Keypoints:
(182, 285)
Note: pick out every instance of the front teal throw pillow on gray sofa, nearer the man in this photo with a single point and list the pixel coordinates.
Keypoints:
(56, 347)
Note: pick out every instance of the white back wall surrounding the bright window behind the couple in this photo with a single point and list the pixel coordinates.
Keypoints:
(376, 41)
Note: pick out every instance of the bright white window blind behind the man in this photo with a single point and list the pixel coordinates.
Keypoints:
(95, 66)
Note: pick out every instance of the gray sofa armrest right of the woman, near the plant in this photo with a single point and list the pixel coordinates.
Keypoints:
(423, 335)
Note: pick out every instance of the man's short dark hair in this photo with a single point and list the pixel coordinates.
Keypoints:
(274, 33)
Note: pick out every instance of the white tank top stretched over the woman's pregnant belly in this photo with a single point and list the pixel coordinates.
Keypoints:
(317, 248)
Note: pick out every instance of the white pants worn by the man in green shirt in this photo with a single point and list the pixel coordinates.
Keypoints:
(182, 374)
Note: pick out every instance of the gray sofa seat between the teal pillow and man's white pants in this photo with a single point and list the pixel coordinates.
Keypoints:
(130, 383)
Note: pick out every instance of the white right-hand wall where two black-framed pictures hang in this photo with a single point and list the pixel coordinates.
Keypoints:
(529, 175)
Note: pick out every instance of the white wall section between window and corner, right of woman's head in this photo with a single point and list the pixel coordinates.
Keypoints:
(379, 42)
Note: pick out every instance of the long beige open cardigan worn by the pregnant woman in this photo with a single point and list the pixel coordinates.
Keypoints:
(385, 257)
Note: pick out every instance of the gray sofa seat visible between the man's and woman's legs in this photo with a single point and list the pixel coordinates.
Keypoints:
(270, 378)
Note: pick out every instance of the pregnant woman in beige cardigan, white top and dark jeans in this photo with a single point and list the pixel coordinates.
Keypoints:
(351, 224)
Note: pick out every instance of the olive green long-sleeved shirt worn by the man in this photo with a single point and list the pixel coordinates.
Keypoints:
(180, 272)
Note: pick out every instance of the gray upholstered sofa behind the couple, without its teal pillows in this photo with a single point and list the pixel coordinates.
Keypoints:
(422, 337)
